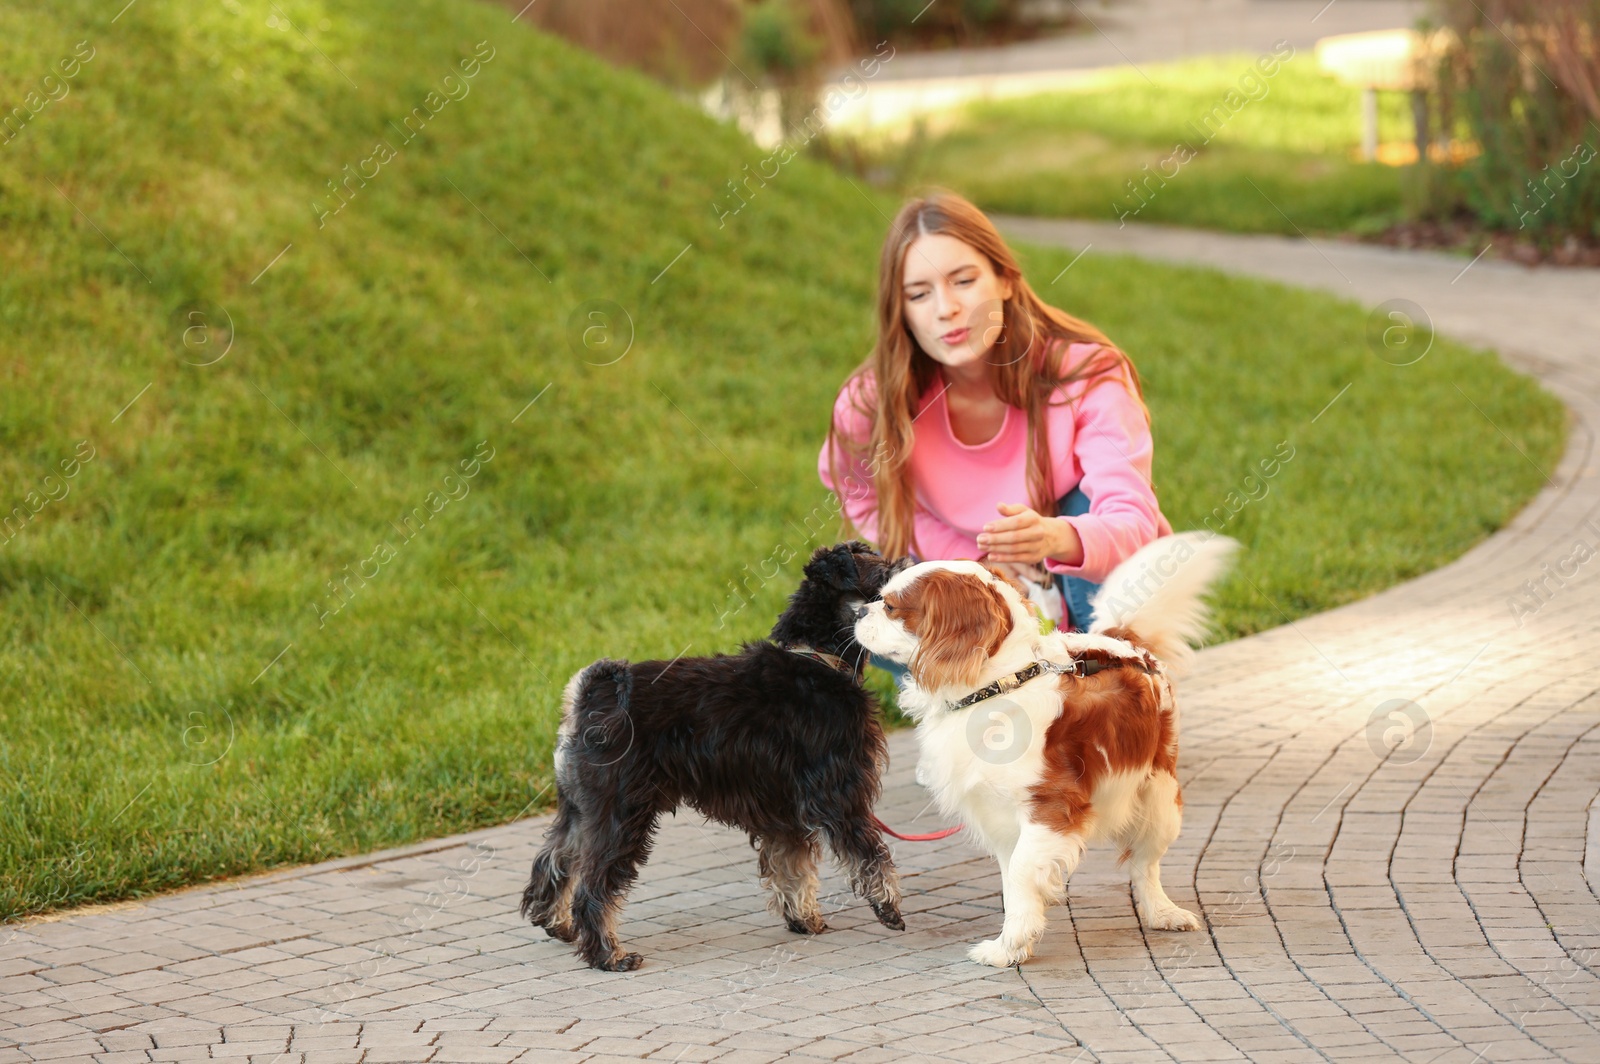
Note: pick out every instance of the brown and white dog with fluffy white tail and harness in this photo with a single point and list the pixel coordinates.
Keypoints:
(1046, 743)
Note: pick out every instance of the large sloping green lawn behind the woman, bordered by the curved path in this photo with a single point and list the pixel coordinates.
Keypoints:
(174, 710)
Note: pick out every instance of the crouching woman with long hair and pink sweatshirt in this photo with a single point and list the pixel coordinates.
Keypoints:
(988, 425)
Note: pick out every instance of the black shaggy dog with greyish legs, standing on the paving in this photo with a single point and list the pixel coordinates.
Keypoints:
(780, 740)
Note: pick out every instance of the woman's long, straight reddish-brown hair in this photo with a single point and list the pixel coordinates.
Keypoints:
(1028, 367)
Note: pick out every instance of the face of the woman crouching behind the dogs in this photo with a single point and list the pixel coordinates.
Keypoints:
(953, 300)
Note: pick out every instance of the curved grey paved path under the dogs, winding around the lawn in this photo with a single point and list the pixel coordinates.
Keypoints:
(1391, 831)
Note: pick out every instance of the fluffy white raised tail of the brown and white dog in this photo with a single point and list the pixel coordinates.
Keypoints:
(1159, 594)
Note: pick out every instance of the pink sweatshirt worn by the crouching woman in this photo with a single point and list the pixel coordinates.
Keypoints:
(1100, 444)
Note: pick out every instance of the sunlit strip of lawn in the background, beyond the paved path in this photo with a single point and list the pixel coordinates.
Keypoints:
(1278, 164)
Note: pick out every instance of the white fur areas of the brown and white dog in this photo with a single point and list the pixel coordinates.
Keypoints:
(1135, 806)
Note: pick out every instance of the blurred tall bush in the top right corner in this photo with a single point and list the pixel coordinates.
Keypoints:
(1519, 78)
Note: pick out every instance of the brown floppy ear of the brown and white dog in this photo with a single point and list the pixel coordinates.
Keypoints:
(961, 623)
